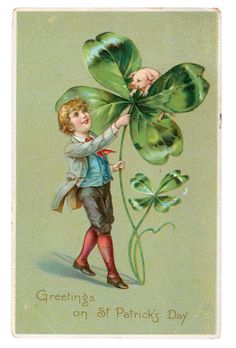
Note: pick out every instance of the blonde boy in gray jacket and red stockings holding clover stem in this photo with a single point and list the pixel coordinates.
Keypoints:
(88, 183)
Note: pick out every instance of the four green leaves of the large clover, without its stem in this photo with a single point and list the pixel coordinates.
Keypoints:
(111, 58)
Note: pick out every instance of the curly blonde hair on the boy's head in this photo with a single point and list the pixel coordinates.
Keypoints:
(64, 123)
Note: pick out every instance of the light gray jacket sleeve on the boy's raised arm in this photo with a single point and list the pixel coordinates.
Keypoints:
(93, 146)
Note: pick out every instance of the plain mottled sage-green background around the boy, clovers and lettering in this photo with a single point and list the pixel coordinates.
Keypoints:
(180, 264)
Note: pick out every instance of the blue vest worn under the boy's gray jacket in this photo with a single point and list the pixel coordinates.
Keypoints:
(98, 173)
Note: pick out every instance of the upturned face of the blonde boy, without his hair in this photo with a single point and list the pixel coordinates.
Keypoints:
(80, 120)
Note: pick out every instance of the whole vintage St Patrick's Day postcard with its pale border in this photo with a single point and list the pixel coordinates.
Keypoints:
(116, 203)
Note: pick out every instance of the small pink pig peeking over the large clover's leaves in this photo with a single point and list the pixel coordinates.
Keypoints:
(142, 80)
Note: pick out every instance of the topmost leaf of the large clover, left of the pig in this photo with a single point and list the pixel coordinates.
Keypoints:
(111, 58)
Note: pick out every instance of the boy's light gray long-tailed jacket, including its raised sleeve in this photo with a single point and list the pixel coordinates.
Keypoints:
(76, 153)
